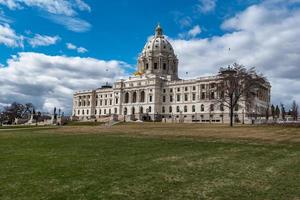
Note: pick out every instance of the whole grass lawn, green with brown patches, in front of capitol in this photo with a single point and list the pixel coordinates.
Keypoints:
(150, 161)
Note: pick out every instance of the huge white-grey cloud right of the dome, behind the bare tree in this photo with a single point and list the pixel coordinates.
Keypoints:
(265, 36)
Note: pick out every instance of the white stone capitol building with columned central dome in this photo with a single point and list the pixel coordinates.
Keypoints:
(156, 93)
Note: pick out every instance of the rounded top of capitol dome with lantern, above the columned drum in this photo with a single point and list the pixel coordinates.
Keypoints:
(158, 44)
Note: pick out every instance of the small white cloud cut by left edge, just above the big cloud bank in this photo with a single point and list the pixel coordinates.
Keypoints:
(9, 38)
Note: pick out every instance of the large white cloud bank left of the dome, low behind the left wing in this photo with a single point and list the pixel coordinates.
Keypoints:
(49, 81)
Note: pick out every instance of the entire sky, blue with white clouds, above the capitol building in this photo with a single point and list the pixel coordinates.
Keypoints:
(51, 48)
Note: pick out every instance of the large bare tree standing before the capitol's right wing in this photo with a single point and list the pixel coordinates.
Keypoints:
(237, 84)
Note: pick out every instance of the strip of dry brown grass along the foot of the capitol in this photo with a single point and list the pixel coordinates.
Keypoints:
(209, 131)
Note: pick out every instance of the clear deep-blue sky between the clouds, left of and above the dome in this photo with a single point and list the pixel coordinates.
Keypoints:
(118, 29)
